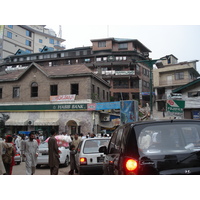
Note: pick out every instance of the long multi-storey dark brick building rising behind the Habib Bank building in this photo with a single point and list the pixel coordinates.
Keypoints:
(112, 59)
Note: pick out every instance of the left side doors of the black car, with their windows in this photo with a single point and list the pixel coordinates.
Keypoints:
(112, 158)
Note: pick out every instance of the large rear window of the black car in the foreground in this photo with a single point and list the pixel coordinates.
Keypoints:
(169, 138)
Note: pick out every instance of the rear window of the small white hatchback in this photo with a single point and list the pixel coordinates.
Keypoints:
(92, 146)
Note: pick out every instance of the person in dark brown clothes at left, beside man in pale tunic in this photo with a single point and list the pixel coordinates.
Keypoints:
(8, 157)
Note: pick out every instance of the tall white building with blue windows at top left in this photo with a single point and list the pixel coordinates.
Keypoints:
(27, 38)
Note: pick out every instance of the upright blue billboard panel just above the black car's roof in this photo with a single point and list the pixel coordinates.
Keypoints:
(128, 111)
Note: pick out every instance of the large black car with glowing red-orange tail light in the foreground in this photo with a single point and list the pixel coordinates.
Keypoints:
(159, 147)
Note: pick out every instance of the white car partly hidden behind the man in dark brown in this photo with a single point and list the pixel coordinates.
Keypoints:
(43, 157)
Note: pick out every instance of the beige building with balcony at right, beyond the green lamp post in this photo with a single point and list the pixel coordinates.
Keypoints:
(169, 75)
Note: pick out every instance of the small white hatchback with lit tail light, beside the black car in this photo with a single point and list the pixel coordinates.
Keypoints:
(88, 159)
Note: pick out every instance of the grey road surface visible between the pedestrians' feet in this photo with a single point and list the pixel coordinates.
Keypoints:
(44, 170)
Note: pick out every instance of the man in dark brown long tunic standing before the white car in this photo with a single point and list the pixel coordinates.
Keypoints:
(53, 154)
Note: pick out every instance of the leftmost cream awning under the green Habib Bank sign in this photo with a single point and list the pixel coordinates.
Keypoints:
(17, 119)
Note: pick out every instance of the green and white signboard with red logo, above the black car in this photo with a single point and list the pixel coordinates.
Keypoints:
(175, 108)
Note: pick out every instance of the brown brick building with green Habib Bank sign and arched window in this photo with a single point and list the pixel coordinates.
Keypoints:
(36, 97)
